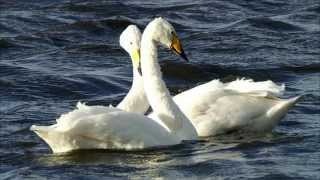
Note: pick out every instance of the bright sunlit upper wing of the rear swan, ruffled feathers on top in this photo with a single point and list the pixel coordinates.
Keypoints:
(203, 95)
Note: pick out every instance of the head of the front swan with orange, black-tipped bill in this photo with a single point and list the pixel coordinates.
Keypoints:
(164, 33)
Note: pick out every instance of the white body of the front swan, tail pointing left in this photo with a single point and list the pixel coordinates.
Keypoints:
(100, 127)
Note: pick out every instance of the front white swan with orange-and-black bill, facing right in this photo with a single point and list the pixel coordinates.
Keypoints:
(92, 127)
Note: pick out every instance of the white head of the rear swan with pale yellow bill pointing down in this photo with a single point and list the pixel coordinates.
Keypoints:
(130, 41)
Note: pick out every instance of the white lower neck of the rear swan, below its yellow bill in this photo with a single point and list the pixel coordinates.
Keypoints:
(135, 100)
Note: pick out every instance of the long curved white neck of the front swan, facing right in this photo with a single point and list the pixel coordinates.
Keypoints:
(157, 93)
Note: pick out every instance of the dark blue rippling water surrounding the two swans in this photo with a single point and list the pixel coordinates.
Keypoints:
(55, 53)
